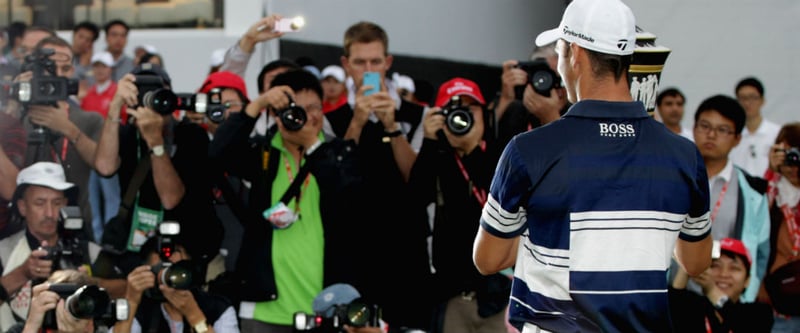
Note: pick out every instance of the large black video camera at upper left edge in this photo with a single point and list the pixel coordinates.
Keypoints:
(45, 87)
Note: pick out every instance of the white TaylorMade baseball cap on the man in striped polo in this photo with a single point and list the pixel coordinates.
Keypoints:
(605, 26)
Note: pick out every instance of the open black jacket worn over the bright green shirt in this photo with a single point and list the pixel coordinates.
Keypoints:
(332, 164)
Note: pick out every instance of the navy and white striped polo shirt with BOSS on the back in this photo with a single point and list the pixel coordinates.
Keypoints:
(600, 197)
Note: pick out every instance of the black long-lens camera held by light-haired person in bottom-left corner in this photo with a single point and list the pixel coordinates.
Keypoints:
(86, 302)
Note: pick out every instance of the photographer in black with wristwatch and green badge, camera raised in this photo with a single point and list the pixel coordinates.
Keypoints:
(173, 184)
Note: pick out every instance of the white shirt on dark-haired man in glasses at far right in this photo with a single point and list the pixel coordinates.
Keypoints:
(752, 153)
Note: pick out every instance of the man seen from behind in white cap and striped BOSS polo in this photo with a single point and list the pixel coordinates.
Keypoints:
(590, 208)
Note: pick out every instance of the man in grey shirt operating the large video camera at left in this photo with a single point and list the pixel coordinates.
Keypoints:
(70, 133)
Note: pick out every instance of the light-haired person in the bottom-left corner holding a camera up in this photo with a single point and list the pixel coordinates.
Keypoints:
(44, 300)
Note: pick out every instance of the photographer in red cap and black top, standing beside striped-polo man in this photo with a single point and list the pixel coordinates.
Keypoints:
(453, 170)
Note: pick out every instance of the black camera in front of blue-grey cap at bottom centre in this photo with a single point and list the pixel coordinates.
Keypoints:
(356, 314)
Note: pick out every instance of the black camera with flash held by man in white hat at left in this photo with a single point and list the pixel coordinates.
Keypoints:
(69, 248)
